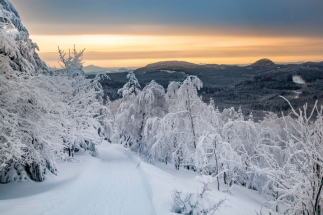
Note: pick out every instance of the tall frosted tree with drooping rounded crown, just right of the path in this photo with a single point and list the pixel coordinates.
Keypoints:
(174, 137)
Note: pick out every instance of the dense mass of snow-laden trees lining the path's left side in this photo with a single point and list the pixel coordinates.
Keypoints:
(40, 110)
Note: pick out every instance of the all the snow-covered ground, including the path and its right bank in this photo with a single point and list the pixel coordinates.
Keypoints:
(116, 183)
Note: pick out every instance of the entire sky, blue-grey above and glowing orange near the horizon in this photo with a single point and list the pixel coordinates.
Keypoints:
(124, 33)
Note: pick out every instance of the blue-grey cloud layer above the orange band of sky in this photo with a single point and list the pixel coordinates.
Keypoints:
(169, 17)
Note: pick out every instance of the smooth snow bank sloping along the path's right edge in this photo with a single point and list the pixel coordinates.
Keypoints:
(164, 179)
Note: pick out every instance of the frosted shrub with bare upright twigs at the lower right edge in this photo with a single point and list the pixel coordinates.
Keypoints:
(298, 181)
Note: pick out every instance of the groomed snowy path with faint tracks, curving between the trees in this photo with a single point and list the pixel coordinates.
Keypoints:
(109, 185)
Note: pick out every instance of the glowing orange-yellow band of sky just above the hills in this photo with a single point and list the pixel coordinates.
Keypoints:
(139, 50)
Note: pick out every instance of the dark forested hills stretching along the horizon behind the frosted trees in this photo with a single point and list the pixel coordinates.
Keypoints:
(254, 89)
